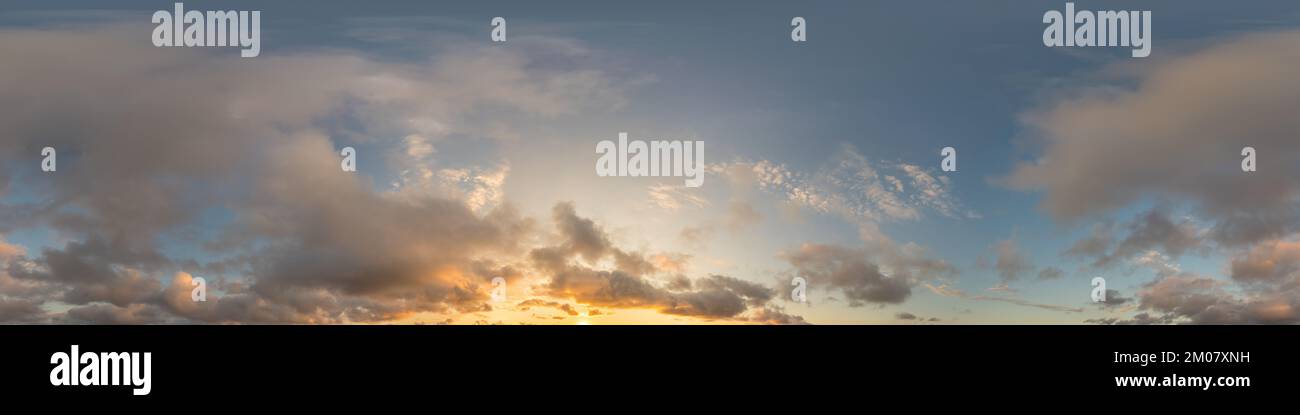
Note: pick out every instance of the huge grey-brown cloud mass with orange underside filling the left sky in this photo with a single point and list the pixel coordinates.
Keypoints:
(153, 144)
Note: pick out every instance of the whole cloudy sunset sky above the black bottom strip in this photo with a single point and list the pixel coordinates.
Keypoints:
(476, 162)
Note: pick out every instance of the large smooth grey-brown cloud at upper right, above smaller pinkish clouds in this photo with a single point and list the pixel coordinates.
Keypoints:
(1178, 132)
